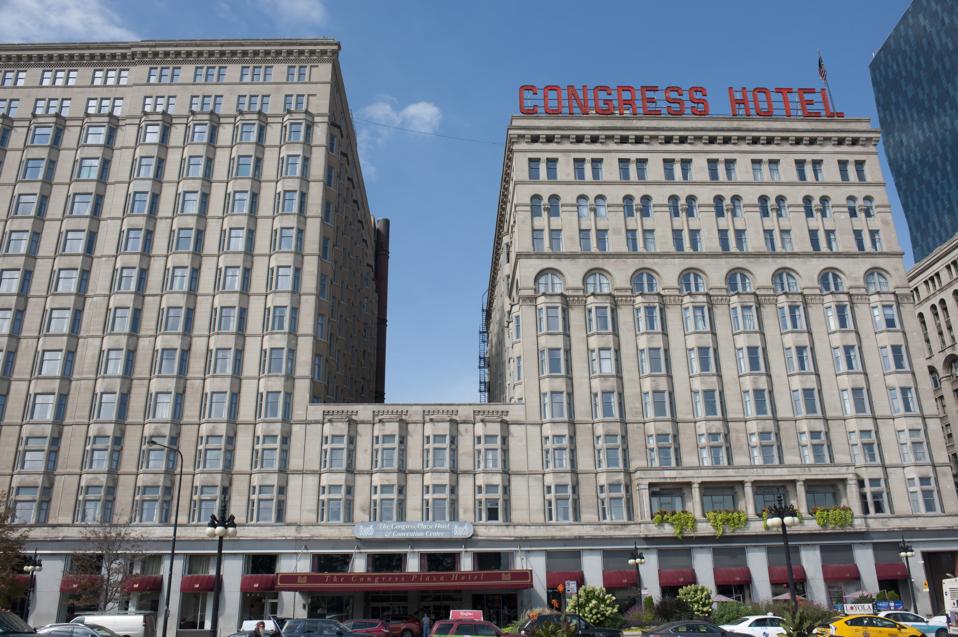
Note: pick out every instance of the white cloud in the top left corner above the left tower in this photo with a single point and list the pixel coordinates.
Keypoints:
(60, 20)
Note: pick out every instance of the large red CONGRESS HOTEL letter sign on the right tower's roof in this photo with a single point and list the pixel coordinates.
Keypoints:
(656, 101)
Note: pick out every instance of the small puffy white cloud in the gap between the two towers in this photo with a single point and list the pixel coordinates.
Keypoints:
(419, 117)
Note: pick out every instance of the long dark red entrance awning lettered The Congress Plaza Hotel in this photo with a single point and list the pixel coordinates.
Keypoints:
(422, 581)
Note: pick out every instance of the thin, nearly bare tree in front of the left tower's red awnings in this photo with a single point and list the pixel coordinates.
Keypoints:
(112, 549)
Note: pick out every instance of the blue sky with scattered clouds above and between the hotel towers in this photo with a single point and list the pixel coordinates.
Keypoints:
(453, 68)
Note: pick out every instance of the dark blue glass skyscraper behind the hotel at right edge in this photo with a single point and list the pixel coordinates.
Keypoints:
(915, 76)
